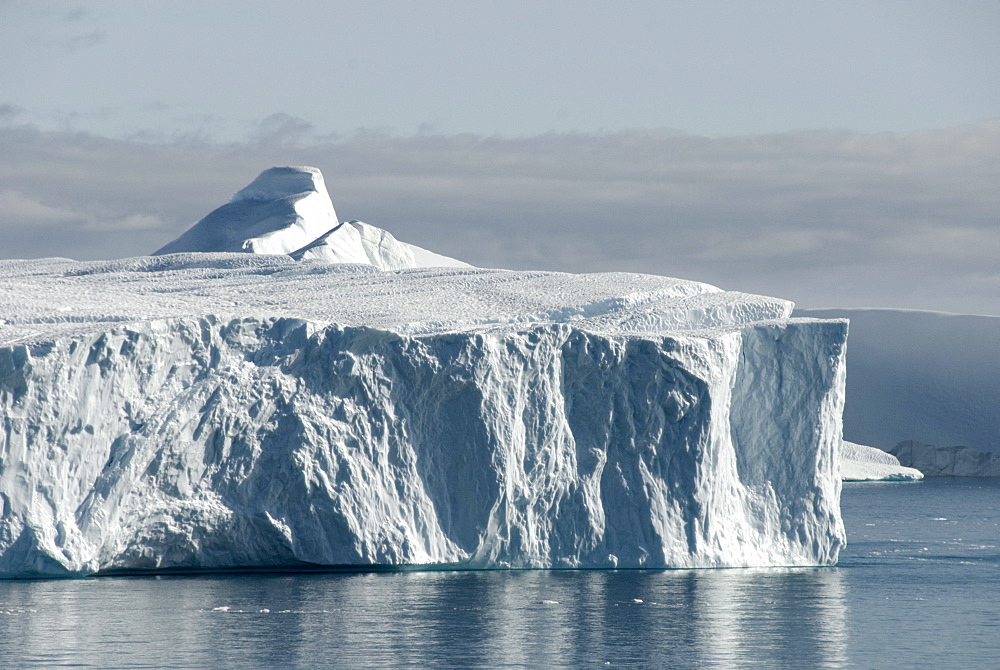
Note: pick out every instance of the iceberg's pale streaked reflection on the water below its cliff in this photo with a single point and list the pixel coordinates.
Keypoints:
(722, 618)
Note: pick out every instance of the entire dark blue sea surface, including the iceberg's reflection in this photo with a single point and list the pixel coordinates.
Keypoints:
(918, 586)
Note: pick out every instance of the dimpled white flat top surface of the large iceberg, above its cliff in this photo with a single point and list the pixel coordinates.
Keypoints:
(42, 299)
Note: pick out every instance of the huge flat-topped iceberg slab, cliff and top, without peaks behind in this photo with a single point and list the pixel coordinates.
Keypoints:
(224, 410)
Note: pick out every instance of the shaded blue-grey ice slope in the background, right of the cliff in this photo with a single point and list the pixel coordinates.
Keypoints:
(930, 377)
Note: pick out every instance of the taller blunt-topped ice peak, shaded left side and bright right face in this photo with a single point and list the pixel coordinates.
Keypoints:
(282, 210)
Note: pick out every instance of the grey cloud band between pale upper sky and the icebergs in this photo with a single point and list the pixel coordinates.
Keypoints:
(825, 218)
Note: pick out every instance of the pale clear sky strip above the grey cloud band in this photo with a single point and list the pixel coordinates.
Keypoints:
(166, 67)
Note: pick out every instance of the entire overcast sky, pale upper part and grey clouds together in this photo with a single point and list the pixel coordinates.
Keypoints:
(838, 154)
